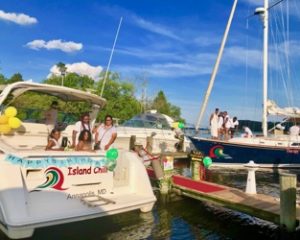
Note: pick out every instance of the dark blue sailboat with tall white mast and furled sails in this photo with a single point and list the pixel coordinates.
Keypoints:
(265, 150)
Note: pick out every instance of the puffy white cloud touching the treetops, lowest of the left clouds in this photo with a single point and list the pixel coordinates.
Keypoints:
(81, 68)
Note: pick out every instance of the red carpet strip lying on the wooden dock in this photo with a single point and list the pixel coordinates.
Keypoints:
(195, 185)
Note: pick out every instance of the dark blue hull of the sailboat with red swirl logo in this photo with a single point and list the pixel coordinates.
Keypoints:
(229, 153)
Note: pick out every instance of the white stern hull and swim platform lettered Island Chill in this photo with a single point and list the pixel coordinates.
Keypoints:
(39, 196)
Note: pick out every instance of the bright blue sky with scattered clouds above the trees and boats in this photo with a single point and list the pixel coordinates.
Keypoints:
(168, 45)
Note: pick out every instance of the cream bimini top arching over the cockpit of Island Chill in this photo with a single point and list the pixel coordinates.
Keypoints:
(64, 93)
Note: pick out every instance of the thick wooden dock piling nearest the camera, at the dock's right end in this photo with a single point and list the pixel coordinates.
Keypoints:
(288, 202)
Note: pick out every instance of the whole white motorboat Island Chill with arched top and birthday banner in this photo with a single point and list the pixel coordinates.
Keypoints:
(41, 188)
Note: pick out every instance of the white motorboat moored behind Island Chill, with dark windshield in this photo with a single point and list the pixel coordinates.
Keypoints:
(154, 124)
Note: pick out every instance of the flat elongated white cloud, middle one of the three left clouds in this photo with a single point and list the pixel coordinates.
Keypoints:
(55, 44)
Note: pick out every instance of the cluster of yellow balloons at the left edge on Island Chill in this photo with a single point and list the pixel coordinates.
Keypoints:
(9, 121)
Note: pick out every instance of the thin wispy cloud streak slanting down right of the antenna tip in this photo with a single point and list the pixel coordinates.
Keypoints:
(155, 28)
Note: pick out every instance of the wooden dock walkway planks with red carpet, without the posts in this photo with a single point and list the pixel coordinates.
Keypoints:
(259, 205)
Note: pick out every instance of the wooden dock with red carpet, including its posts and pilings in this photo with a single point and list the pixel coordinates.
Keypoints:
(283, 212)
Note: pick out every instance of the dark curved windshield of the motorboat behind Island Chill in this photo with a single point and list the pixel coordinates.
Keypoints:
(156, 121)
